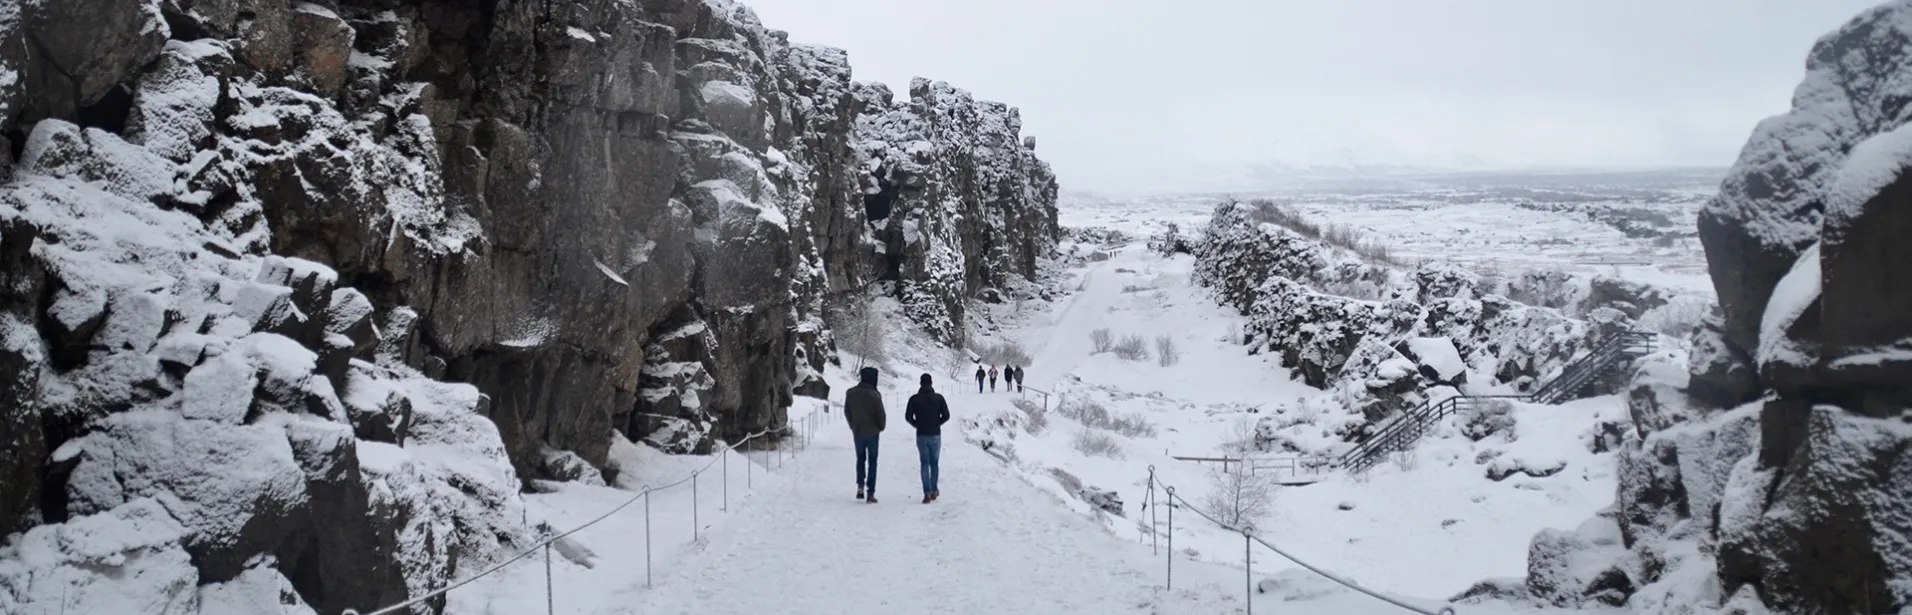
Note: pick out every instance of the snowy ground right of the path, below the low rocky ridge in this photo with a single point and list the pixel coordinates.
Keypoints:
(1427, 532)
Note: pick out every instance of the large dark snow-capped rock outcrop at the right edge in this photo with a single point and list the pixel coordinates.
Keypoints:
(1770, 471)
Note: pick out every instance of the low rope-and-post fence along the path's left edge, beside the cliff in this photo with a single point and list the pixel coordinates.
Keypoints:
(804, 429)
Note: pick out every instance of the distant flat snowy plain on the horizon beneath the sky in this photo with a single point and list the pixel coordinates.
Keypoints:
(1490, 228)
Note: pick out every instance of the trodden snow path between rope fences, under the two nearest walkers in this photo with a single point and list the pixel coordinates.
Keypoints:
(991, 545)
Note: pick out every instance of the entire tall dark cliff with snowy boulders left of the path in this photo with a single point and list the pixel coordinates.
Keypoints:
(255, 257)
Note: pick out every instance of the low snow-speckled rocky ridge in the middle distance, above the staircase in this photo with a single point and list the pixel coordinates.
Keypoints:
(1295, 295)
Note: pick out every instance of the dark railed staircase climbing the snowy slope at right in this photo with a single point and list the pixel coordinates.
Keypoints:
(1573, 383)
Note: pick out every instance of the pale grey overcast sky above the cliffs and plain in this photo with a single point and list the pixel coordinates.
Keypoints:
(1173, 95)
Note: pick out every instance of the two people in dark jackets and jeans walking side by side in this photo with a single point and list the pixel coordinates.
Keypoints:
(928, 412)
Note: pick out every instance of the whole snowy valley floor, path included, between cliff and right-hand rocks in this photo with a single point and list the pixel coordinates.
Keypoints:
(1009, 536)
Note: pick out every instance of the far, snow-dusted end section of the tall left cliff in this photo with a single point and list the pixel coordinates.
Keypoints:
(959, 201)
